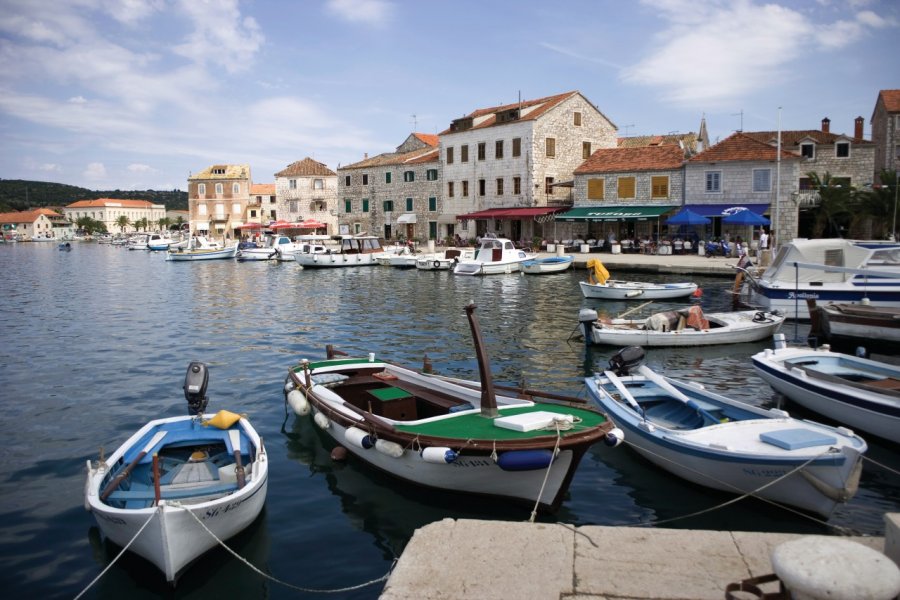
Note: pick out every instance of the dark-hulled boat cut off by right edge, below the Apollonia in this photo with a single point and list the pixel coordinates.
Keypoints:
(856, 323)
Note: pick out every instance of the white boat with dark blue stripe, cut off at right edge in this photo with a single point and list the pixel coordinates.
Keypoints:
(850, 390)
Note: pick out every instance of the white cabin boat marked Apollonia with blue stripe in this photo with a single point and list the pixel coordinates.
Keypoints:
(827, 270)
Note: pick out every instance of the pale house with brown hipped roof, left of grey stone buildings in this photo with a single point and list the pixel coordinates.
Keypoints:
(307, 189)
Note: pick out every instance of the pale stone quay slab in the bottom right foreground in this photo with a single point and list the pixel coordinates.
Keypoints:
(491, 560)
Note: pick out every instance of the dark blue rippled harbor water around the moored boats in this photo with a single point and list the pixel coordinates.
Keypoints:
(96, 342)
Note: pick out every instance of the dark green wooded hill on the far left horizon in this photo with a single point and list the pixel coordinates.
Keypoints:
(19, 194)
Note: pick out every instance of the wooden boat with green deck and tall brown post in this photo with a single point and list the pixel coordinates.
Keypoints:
(446, 433)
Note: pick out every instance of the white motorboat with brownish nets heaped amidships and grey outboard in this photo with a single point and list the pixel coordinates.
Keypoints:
(684, 327)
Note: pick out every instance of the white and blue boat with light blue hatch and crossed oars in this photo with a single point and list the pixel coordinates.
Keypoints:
(724, 444)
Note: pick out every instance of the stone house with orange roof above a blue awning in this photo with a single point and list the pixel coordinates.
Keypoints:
(742, 172)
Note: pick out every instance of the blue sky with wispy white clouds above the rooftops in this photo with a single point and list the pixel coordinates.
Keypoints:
(138, 94)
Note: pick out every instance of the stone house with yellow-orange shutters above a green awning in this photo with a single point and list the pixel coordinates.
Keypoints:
(623, 192)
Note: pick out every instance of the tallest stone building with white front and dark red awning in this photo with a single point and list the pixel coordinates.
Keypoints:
(505, 166)
